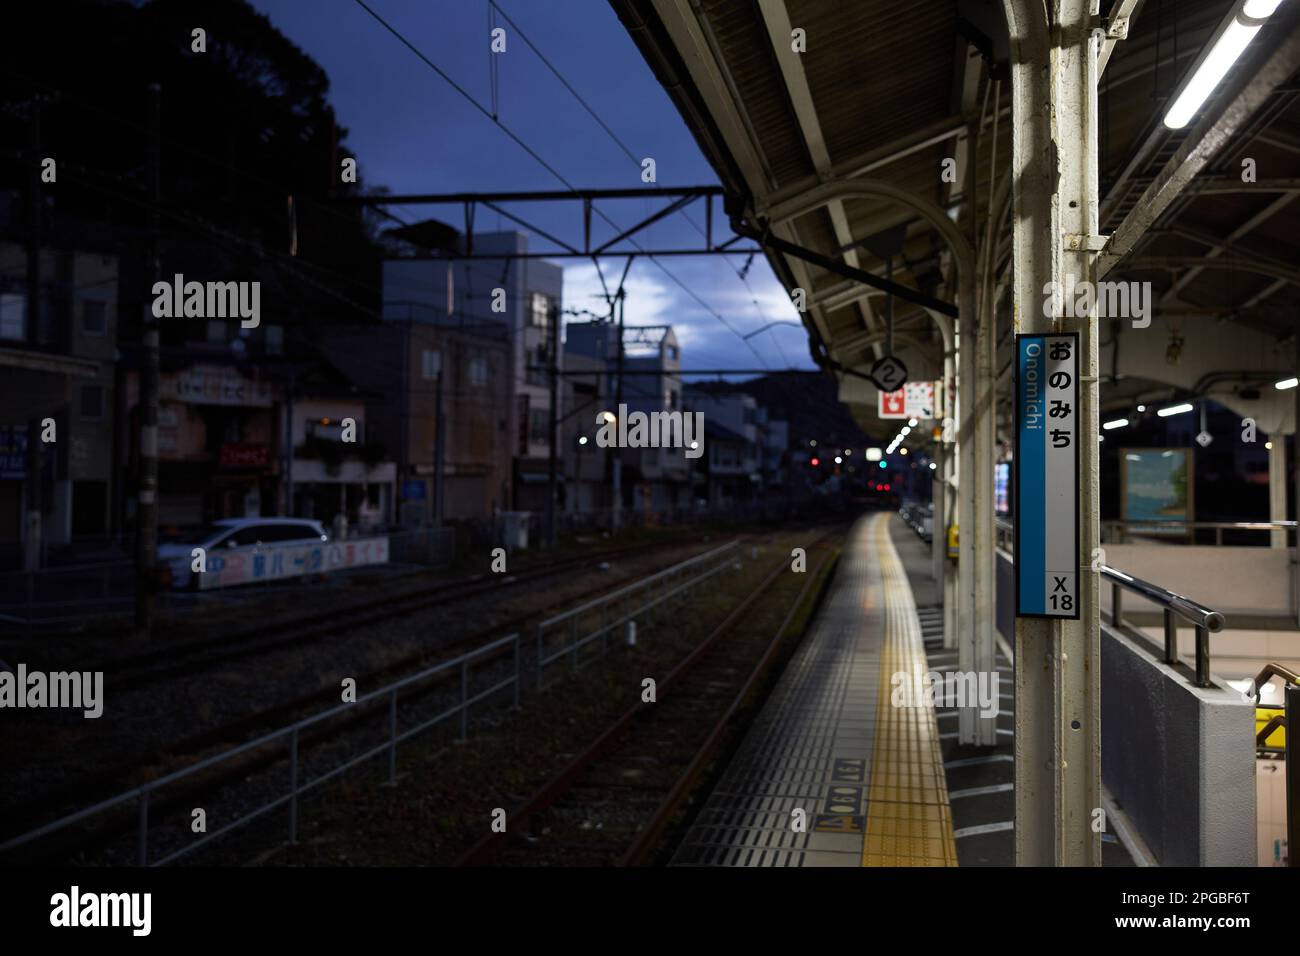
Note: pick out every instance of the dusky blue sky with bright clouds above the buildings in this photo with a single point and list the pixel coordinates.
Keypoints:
(414, 133)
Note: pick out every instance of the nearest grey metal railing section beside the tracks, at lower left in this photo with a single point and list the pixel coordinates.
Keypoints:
(291, 738)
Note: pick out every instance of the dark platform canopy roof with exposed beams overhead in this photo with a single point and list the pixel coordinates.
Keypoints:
(899, 93)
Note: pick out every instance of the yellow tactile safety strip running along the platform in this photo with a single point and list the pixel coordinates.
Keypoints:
(909, 819)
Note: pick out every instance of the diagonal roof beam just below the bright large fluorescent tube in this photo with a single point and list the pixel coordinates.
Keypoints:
(1216, 131)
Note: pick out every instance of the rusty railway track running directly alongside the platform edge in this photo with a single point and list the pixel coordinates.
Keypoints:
(640, 772)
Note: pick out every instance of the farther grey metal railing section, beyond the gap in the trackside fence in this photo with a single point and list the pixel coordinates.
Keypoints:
(597, 620)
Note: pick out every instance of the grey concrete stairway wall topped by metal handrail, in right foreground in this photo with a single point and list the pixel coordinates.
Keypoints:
(1180, 760)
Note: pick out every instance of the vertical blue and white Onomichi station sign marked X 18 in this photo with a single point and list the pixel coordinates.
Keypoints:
(1047, 475)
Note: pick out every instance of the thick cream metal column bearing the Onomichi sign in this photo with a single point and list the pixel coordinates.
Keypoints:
(1055, 175)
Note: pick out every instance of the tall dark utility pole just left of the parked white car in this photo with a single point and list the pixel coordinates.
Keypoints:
(148, 503)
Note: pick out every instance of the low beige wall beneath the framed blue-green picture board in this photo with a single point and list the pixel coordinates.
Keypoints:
(1234, 581)
